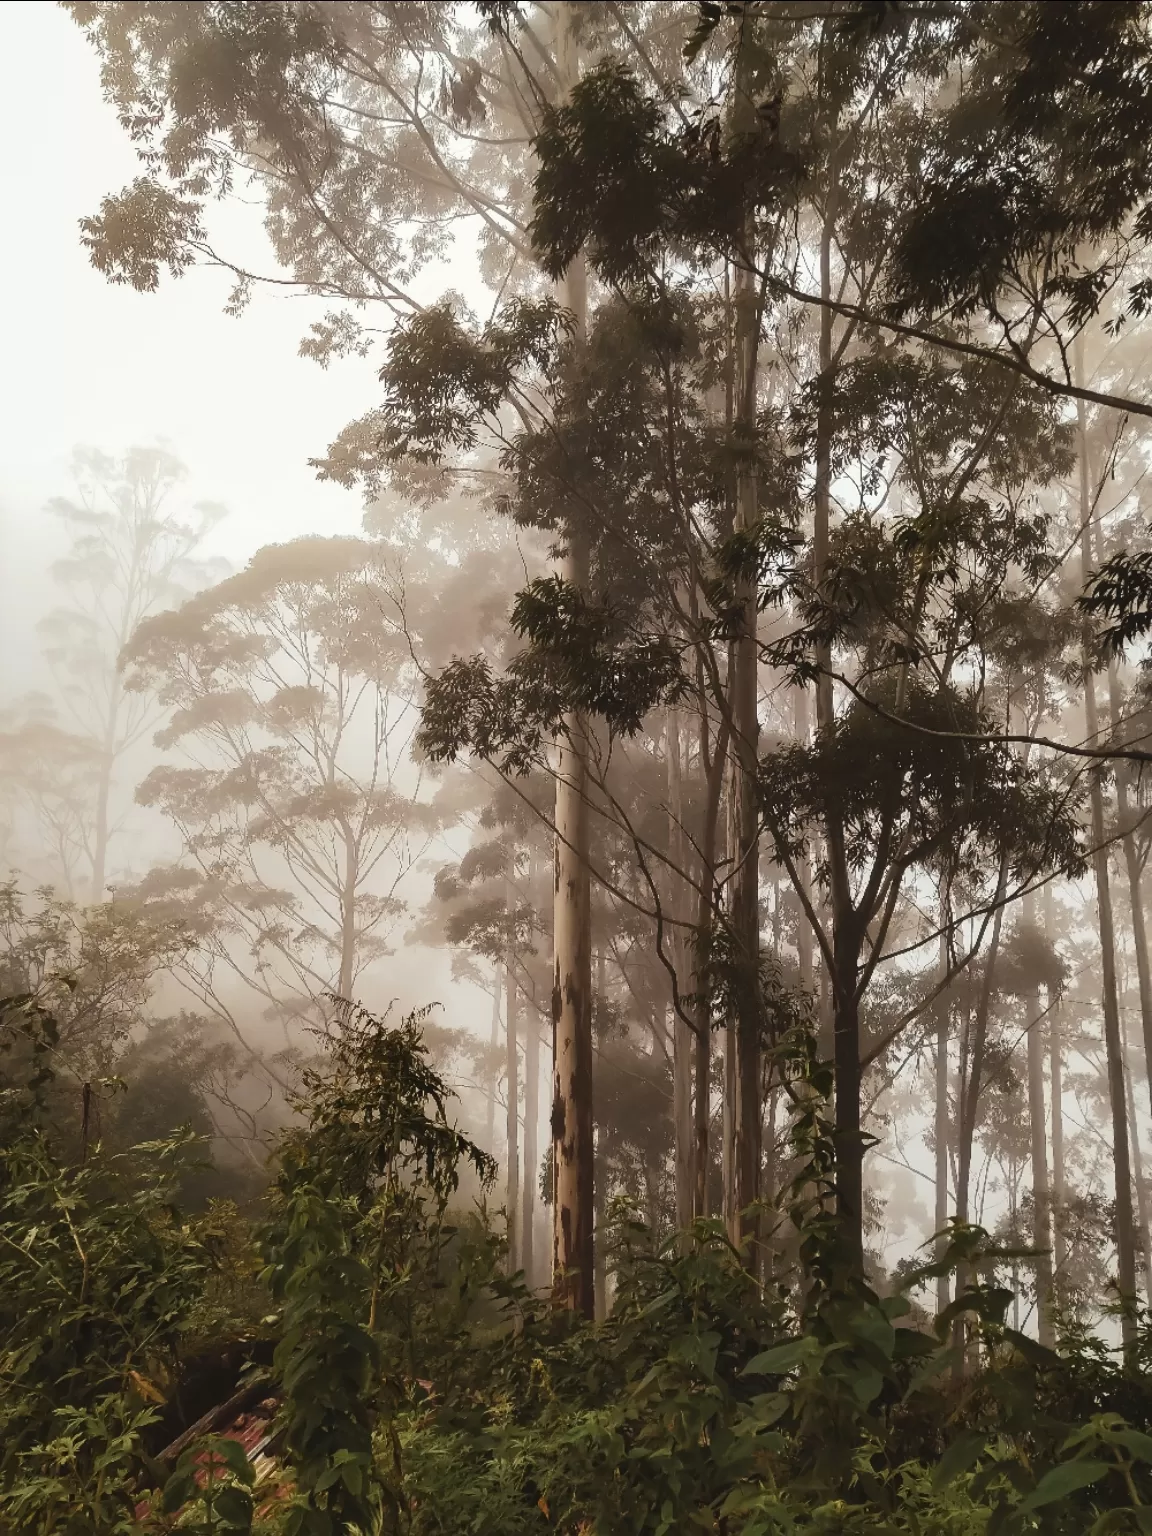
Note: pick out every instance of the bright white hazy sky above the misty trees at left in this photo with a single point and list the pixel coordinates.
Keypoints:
(87, 363)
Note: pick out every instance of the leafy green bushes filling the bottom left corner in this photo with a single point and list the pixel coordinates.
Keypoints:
(98, 1276)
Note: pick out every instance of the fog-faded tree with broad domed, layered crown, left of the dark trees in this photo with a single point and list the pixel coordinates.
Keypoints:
(291, 692)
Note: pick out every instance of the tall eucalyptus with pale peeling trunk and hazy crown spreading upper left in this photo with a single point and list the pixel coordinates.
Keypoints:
(372, 130)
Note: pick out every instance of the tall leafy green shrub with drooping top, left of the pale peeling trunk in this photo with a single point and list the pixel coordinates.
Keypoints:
(356, 1242)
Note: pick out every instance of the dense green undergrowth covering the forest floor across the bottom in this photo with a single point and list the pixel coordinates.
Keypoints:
(423, 1392)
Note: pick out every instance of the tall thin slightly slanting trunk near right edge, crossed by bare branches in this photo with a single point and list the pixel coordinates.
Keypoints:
(1127, 1260)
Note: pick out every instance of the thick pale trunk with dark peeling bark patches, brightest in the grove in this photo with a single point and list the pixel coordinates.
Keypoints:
(572, 1113)
